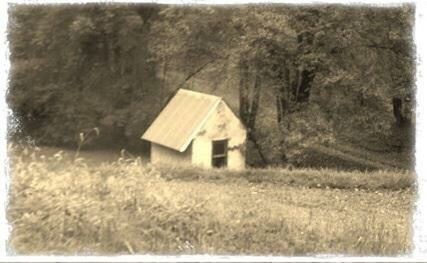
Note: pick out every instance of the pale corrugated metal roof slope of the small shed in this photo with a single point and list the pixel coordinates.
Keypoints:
(181, 119)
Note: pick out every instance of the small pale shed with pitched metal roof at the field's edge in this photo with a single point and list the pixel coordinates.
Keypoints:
(197, 129)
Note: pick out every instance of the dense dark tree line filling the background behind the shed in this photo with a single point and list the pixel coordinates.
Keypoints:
(299, 75)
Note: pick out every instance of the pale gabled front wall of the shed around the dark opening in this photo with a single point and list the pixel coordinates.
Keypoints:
(222, 124)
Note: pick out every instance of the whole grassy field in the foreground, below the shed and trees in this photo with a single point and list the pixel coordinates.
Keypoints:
(65, 206)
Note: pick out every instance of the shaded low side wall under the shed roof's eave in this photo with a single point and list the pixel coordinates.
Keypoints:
(161, 154)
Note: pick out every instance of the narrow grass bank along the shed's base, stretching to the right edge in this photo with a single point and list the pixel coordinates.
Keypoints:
(305, 177)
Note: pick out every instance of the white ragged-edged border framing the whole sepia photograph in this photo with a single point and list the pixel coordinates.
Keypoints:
(419, 252)
